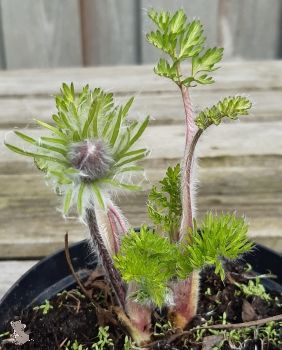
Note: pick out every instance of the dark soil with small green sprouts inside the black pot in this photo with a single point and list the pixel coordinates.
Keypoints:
(74, 318)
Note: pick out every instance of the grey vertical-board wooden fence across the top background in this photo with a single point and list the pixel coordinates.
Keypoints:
(73, 33)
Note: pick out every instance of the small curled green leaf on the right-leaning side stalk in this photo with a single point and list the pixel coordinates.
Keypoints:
(229, 107)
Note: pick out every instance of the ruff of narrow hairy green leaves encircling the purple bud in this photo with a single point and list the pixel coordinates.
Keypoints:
(90, 116)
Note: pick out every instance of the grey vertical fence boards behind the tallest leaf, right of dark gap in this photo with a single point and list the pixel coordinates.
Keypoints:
(239, 26)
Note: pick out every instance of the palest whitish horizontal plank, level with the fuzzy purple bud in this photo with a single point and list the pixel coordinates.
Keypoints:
(226, 140)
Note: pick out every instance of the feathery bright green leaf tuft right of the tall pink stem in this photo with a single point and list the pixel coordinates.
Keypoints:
(219, 236)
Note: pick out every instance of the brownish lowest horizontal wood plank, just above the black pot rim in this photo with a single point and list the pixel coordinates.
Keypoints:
(31, 227)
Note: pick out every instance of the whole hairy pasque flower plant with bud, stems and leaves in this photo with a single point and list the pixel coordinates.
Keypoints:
(91, 154)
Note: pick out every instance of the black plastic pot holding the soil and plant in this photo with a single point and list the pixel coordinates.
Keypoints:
(52, 275)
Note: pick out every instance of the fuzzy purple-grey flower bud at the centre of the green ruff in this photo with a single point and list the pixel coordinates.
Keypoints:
(91, 157)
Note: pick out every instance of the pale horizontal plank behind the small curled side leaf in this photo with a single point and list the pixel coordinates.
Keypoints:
(164, 108)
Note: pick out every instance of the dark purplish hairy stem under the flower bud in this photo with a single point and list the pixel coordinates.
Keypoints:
(113, 274)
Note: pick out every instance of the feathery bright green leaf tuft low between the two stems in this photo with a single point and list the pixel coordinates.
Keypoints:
(150, 261)
